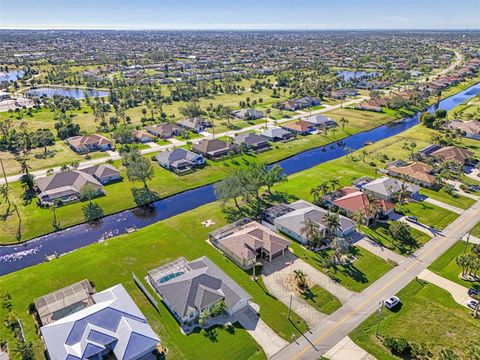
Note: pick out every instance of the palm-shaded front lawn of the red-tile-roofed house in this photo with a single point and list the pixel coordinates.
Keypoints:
(380, 234)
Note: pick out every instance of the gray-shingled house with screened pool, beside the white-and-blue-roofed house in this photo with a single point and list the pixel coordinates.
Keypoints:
(188, 288)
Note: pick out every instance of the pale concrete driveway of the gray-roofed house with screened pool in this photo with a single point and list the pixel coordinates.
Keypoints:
(270, 342)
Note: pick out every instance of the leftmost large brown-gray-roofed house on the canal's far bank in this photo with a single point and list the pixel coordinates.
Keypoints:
(65, 186)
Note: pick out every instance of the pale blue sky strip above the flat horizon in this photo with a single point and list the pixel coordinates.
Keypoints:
(241, 14)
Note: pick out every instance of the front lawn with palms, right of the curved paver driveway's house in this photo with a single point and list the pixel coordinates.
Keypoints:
(357, 276)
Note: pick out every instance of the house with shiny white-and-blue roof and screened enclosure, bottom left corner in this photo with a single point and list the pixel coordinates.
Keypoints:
(81, 324)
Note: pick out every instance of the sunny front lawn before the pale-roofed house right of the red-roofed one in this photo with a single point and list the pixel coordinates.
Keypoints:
(428, 214)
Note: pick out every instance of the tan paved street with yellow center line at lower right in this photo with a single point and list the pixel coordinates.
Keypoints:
(338, 325)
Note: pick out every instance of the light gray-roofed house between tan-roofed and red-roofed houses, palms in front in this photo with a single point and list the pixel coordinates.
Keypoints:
(292, 222)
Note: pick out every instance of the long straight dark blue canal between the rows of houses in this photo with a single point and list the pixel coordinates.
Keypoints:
(16, 257)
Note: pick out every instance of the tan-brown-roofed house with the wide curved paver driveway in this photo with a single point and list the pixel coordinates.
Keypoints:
(245, 242)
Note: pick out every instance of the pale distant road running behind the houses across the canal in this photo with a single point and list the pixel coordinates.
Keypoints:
(83, 164)
